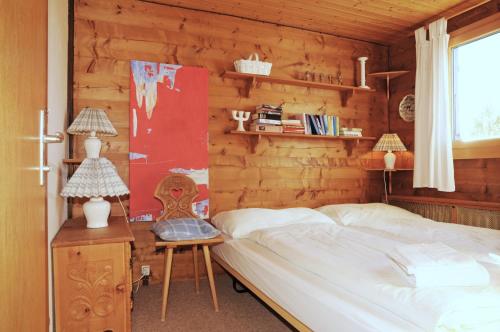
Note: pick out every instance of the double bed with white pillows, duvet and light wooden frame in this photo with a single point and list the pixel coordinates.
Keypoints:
(322, 274)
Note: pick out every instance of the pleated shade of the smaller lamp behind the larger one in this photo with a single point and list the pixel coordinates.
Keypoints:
(92, 120)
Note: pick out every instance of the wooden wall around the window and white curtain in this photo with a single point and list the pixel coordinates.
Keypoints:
(475, 179)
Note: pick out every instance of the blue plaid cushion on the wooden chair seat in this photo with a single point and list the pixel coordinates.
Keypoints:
(184, 229)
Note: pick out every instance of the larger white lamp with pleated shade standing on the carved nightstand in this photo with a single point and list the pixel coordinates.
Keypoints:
(95, 178)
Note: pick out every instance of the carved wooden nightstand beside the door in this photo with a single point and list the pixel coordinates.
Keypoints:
(92, 276)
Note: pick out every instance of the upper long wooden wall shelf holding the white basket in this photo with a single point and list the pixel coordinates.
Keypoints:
(254, 81)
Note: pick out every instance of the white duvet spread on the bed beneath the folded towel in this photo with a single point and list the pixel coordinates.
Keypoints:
(356, 260)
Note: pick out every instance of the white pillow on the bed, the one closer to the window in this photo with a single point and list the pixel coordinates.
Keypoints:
(365, 214)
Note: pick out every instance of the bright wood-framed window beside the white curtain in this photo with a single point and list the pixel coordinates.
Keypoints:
(475, 86)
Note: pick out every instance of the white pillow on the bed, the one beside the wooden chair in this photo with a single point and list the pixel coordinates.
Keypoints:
(240, 223)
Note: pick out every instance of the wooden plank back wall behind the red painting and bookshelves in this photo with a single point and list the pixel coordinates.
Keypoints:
(282, 172)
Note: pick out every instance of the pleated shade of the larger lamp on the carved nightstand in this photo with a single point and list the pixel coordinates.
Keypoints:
(96, 177)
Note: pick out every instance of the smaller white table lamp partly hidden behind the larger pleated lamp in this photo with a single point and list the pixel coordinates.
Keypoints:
(92, 121)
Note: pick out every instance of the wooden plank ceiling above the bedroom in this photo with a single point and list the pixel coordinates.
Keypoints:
(379, 21)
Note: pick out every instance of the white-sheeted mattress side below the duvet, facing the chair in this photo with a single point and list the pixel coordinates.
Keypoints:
(317, 303)
